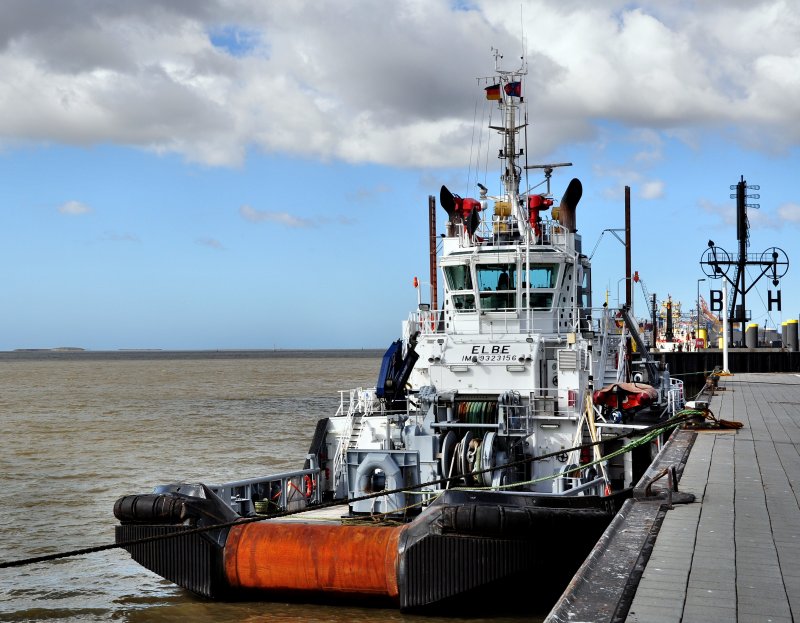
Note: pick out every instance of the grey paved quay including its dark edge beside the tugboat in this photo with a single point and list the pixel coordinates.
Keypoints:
(731, 555)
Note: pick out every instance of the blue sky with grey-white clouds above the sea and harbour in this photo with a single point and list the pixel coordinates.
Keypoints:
(221, 174)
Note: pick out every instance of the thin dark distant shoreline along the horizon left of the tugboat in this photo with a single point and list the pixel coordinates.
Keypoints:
(77, 354)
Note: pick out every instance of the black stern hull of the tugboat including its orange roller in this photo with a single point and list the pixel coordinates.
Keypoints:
(464, 546)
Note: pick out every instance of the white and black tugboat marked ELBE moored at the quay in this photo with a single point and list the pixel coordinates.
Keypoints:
(487, 460)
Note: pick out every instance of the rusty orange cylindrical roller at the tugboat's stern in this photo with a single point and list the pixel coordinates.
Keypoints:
(302, 557)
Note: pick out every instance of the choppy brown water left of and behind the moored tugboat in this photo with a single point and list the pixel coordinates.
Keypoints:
(79, 430)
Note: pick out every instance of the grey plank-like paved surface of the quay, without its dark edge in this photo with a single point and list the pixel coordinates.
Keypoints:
(734, 554)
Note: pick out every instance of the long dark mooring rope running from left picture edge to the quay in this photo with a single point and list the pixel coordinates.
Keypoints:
(676, 420)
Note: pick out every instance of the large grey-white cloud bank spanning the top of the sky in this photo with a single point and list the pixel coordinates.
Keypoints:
(389, 83)
